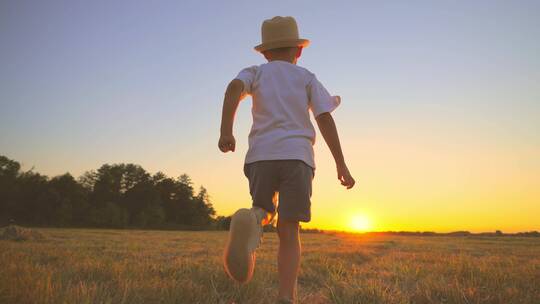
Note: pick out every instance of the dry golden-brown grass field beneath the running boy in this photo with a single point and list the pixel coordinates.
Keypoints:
(133, 266)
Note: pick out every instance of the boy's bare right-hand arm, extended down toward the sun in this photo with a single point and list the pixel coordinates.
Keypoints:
(329, 132)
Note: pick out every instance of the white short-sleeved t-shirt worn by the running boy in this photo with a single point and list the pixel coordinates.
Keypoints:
(283, 93)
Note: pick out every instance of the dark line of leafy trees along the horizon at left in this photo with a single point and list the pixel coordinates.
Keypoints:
(113, 196)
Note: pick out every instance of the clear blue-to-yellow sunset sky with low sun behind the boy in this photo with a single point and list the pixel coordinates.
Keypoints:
(439, 121)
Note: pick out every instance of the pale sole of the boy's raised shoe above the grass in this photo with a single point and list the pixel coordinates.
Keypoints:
(239, 261)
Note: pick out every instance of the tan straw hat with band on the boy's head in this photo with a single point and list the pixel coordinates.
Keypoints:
(280, 32)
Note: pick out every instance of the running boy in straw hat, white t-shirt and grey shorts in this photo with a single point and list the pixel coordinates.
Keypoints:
(280, 156)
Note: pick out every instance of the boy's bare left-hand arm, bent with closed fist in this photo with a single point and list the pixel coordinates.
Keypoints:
(233, 95)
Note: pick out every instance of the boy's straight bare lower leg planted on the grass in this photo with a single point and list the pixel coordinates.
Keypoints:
(288, 258)
